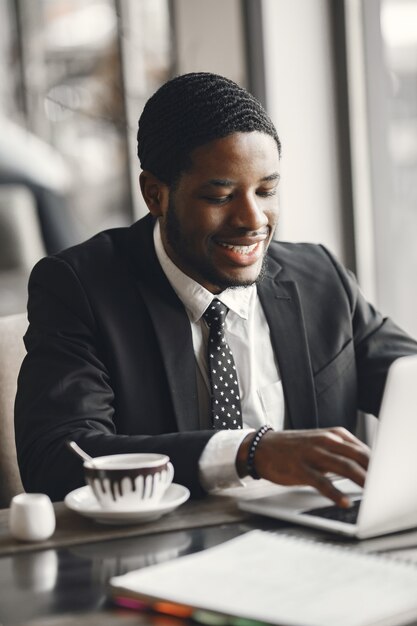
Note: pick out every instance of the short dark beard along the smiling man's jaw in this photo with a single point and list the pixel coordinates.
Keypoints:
(182, 247)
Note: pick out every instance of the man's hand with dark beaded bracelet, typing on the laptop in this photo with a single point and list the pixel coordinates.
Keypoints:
(304, 457)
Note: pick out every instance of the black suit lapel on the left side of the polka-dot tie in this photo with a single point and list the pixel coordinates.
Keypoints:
(171, 325)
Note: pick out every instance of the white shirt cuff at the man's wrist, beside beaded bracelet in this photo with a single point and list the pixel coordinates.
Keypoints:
(217, 463)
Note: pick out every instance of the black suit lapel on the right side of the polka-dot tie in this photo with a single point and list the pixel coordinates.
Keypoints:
(281, 303)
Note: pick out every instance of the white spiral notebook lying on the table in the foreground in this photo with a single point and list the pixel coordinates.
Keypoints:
(279, 579)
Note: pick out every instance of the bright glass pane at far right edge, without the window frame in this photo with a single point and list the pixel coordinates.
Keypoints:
(398, 231)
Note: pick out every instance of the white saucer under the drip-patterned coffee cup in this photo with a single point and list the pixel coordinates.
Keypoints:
(84, 502)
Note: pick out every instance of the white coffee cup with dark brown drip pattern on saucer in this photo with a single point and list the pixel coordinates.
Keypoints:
(129, 481)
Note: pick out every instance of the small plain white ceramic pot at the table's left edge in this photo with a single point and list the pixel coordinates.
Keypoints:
(31, 517)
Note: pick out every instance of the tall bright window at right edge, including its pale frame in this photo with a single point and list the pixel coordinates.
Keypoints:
(387, 232)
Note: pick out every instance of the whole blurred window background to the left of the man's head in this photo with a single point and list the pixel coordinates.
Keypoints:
(74, 75)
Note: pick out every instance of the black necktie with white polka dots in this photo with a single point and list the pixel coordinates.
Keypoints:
(225, 396)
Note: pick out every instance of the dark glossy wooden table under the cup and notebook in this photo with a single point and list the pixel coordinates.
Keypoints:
(63, 581)
